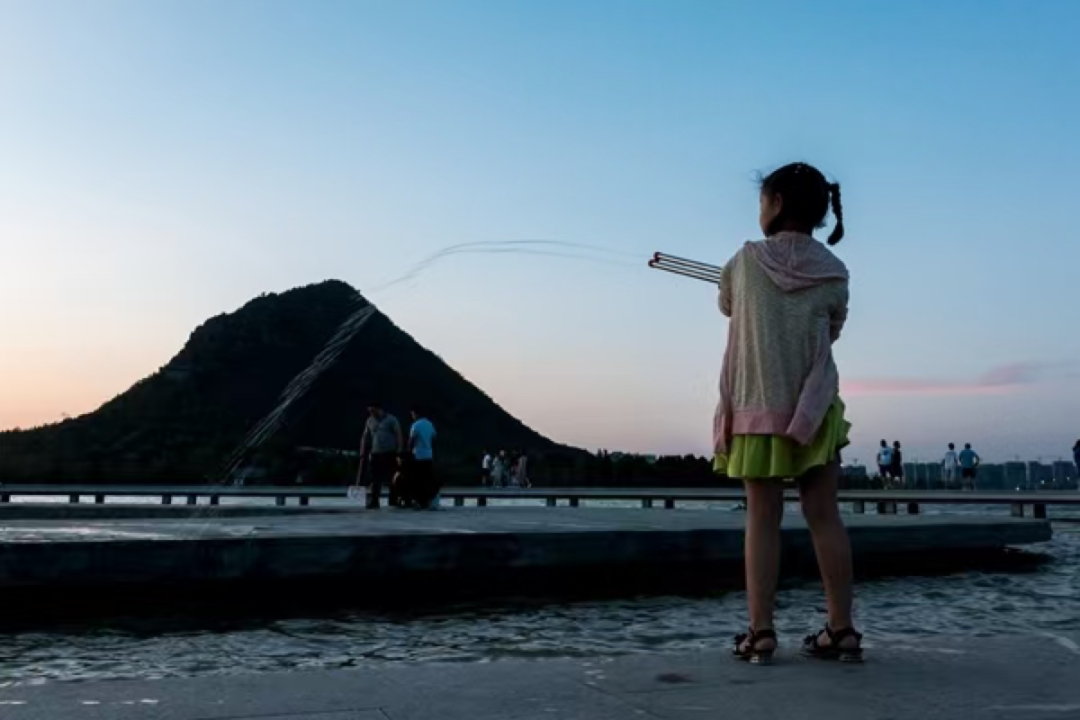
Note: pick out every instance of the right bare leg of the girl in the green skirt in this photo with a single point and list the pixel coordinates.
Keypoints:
(818, 495)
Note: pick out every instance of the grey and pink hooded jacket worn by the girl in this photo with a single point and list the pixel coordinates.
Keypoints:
(788, 301)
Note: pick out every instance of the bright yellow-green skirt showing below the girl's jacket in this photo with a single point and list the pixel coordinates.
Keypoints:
(773, 457)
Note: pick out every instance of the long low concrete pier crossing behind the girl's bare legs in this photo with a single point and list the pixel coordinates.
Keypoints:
(472, 546)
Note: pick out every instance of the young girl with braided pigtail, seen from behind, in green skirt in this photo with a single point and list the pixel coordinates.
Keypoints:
(780, 417)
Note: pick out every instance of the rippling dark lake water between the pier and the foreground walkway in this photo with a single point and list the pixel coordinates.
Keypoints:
(1044, 603)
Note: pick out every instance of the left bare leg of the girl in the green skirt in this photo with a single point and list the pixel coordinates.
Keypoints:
(765, 511)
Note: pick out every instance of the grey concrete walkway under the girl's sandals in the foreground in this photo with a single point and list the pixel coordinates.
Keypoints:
(1005, 678)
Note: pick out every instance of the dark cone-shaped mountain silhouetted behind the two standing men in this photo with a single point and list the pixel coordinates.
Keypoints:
(180, 425)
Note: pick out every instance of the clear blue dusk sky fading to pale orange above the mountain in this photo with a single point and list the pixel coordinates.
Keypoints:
(164, 162)
